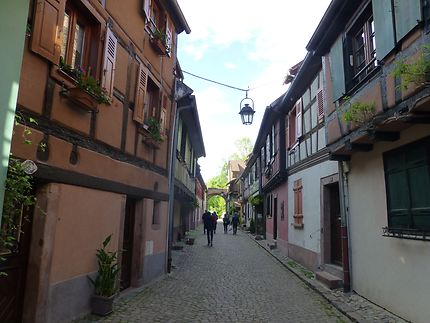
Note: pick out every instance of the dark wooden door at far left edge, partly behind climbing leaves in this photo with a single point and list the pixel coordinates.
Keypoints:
(12, 286)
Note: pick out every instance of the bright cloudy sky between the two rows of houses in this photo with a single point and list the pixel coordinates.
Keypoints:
(243, 43)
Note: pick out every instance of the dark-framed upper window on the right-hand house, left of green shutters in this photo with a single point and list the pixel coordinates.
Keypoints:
(361, 47)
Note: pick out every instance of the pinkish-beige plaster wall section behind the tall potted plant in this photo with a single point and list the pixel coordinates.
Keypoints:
(85, 217)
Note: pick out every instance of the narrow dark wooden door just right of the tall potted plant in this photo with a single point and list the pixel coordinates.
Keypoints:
(127, 244)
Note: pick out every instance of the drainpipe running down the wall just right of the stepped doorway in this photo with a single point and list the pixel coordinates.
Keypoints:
(344, 214)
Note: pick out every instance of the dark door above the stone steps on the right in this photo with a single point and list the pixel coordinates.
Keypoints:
(335, 222)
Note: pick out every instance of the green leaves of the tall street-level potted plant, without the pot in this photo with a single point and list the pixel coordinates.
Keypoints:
(106, 282)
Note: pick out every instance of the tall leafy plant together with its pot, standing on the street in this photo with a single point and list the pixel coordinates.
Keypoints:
(106, 281)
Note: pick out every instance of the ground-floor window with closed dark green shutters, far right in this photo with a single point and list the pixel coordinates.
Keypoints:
(407, 181)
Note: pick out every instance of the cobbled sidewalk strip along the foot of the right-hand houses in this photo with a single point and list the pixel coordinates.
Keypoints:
(351, 304)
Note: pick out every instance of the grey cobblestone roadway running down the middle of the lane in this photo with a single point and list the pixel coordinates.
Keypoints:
(233, 281)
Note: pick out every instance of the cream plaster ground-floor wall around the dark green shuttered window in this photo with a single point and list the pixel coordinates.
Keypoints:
(389, 271)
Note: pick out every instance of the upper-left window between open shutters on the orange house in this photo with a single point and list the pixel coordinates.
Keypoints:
(80, 38)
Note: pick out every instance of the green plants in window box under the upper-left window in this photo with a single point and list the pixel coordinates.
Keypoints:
(85, 81)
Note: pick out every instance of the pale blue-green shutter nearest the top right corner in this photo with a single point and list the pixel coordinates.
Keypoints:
(408, 15)
